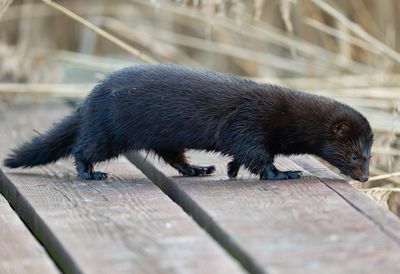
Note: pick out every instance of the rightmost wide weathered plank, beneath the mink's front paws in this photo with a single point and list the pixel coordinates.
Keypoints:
(296, 226)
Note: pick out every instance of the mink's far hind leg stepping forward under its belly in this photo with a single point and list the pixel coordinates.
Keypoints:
(177, 159)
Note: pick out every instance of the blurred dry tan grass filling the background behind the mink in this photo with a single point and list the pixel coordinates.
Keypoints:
(348, 50)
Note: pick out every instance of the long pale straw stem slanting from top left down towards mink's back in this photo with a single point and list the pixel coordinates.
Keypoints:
(101, 32)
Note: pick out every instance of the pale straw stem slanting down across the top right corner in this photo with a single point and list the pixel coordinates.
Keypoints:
(358, 30)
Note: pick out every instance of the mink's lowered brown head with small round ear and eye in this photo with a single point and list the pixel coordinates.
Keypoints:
(349, 147)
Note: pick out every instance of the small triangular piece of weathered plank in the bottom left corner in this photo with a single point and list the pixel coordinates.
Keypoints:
(20, 252)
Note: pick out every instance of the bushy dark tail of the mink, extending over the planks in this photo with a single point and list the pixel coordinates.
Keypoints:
(45, 148)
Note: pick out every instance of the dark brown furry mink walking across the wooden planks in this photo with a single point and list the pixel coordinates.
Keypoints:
(170, 108)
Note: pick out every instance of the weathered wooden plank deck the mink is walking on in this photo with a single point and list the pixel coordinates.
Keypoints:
(147, 219)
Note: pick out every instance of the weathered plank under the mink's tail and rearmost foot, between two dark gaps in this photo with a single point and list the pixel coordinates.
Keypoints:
(124, 224)
